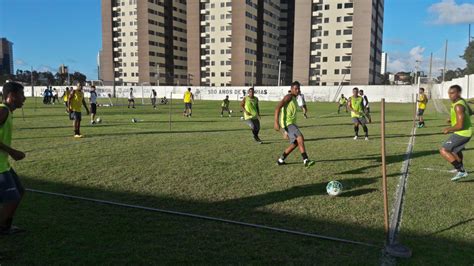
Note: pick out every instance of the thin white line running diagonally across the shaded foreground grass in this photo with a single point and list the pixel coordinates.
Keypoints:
(281, 230)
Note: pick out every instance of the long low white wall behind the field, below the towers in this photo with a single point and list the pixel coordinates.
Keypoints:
(392, 93)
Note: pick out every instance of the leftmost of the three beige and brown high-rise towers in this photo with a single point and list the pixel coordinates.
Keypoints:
(144, 42)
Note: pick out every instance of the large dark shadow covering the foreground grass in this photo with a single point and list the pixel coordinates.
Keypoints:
(57, 226)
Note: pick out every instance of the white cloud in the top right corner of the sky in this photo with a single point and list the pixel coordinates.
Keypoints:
(449, 12)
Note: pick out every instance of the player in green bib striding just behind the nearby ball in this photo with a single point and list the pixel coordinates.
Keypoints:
(285, 117)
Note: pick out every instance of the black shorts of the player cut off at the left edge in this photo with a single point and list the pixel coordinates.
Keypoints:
(11, 188)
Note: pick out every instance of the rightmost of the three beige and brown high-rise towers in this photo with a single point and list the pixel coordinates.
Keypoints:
(337, 43)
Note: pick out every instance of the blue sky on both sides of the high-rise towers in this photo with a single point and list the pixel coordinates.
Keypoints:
(47, 33)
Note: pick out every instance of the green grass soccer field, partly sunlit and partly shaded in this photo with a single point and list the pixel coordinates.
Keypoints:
(210, 165)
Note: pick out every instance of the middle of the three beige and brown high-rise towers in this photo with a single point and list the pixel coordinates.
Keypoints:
(238, 42)
